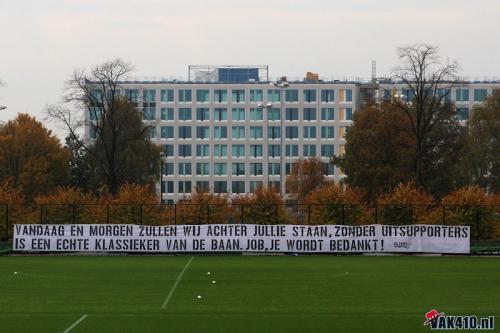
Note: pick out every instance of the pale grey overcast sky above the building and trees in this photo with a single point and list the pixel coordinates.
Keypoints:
(43, 41)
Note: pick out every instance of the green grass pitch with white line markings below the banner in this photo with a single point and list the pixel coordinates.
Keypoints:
(252, 294)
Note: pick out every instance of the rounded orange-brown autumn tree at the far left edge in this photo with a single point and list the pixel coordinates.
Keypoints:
(31, 157)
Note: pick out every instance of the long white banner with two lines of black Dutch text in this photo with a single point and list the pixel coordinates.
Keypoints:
(241, 238)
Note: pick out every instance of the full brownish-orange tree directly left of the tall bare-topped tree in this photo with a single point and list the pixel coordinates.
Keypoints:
(378, 151)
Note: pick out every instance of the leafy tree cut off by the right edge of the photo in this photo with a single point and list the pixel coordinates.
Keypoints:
(482, 152)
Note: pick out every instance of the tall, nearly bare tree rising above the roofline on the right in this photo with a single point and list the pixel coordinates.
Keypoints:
(428, 83)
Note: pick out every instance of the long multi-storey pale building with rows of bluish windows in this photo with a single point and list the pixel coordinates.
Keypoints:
(229, 129)
